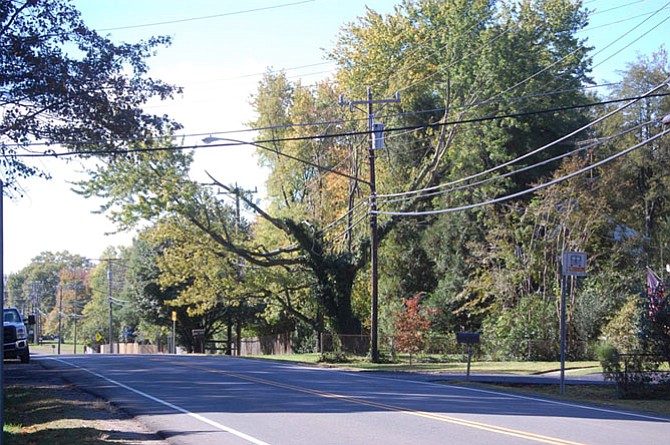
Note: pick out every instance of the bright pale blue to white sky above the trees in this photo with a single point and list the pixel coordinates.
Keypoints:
(219, 49)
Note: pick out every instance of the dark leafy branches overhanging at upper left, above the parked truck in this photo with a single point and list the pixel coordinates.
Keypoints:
(63, 83)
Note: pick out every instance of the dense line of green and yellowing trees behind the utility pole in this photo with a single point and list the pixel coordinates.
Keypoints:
(492, 103)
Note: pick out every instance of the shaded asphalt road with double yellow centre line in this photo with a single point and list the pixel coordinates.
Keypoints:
(198, 400)
